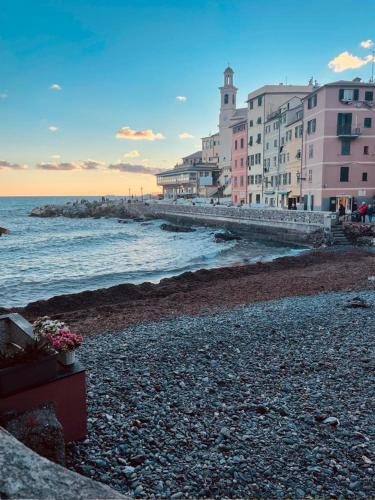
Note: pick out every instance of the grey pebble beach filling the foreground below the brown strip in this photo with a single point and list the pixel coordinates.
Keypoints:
(270, 400)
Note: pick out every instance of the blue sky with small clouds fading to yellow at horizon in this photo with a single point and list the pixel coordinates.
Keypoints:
(98, 95)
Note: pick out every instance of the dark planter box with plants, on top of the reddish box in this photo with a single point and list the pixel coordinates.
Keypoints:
(24, 375)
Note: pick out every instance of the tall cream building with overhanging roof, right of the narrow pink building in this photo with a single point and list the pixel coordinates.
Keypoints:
(263, 105)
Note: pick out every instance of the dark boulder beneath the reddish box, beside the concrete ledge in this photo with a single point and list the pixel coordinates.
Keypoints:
(40, 430)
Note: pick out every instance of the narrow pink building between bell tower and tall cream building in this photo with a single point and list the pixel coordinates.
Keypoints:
(239, 162)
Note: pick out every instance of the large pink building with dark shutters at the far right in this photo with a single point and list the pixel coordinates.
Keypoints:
(338, 164)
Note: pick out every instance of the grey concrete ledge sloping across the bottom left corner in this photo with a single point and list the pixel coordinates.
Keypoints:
(24, 474)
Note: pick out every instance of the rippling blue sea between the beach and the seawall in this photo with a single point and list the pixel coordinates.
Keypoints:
(44, 257)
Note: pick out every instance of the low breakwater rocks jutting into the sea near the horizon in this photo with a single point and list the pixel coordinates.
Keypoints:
(85, 209)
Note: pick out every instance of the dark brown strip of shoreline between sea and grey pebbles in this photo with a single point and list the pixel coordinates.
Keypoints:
(208, 290)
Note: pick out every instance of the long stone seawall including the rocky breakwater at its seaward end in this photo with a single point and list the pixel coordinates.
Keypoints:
(283, 225)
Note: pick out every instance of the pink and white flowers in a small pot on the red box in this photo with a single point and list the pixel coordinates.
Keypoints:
(60, 337)
